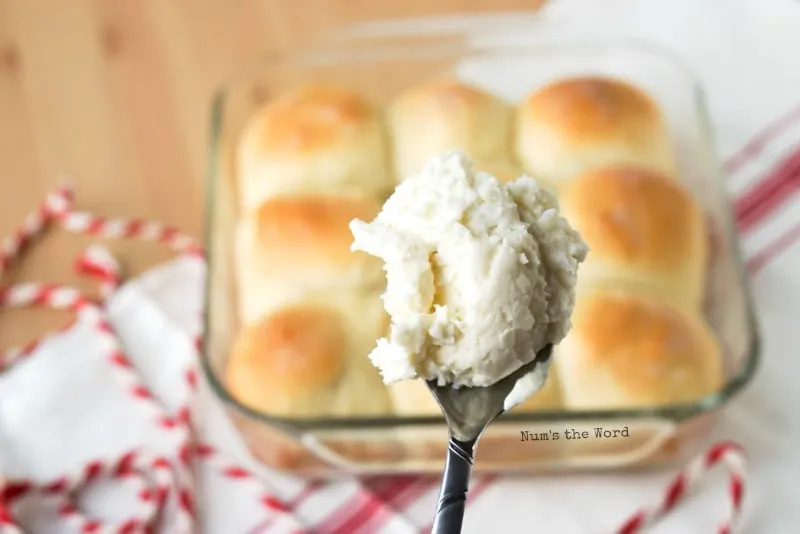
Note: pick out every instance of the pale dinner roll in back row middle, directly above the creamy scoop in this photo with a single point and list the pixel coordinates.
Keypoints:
(447, 115)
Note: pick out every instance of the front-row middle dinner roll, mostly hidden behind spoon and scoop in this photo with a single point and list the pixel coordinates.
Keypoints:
(412, 398)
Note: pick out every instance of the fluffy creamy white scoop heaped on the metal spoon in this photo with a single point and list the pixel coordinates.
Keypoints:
(480, 275)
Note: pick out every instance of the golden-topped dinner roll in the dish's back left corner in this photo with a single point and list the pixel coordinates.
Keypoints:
(316, 139)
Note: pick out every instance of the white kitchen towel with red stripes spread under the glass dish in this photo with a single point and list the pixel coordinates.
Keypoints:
(62, 407)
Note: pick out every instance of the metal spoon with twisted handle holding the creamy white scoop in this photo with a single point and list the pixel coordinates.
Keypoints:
(468, 412)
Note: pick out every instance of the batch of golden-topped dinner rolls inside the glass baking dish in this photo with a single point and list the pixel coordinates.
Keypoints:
(314, 158)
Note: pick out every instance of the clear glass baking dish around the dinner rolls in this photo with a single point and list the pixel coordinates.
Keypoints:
(382, 67)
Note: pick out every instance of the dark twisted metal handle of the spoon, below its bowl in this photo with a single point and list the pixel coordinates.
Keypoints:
(455, 483)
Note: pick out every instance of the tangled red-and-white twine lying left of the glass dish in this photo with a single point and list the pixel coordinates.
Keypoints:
(98, 263)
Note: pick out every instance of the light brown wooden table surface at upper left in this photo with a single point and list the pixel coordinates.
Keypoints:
(117, 94)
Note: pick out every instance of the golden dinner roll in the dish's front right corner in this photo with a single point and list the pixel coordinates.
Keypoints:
(629, 350)
